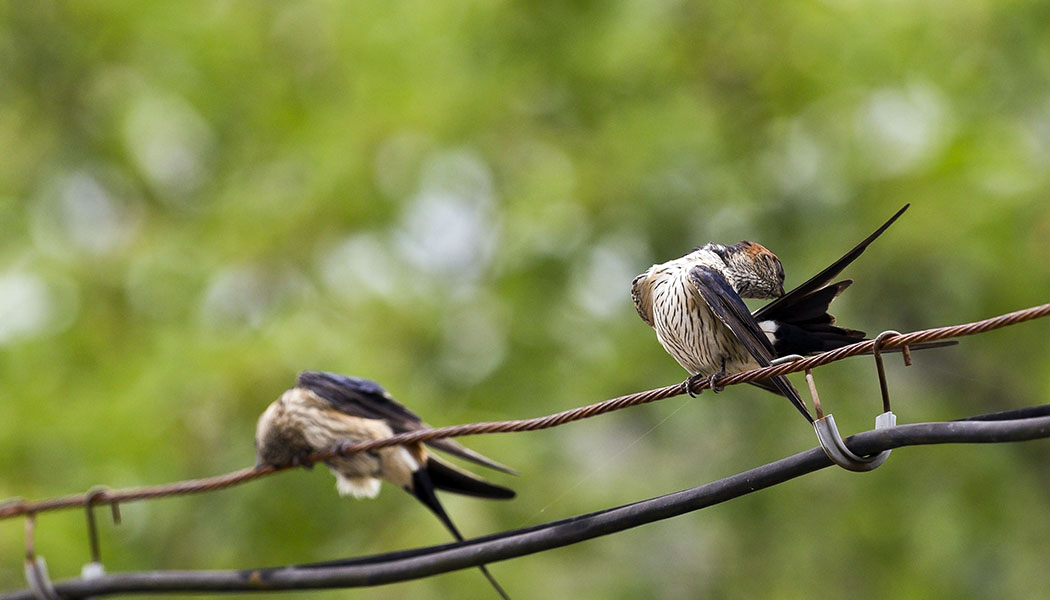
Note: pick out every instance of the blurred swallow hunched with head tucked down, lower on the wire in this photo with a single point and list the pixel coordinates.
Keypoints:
(326, 409)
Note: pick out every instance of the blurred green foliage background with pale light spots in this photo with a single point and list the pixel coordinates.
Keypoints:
(200, 200)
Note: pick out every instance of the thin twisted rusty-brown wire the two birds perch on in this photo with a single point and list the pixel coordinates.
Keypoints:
(101, 496)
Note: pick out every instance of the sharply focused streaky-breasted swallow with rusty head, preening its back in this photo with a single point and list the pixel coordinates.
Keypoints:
(695, 303)
